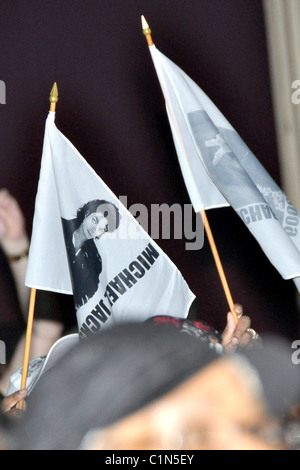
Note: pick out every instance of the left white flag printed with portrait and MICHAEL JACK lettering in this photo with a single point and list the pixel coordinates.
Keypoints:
(85, 243)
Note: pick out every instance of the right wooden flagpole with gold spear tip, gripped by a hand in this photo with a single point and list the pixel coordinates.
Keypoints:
(147, 32)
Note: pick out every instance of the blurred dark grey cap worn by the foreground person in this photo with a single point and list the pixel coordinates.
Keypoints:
(104, 379)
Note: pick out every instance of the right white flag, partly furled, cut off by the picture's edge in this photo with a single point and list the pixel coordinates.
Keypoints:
(210, 149)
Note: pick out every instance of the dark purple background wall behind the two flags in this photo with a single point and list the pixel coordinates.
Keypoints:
(111, 108)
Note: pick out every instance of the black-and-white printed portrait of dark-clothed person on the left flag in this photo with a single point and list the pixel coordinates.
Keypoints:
(92, 221)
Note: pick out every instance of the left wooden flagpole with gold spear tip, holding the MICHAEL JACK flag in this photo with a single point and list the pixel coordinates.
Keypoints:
(53, 100)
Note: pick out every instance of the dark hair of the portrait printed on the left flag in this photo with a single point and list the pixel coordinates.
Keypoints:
(108, 210)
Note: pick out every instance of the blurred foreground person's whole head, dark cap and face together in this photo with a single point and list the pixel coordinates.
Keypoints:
(145, 386)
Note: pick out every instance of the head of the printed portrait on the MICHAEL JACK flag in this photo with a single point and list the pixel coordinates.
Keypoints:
(96, 218)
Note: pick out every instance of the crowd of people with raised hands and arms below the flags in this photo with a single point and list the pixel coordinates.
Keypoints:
(165, 384)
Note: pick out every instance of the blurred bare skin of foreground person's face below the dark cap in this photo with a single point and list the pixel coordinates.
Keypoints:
(214, 409)
